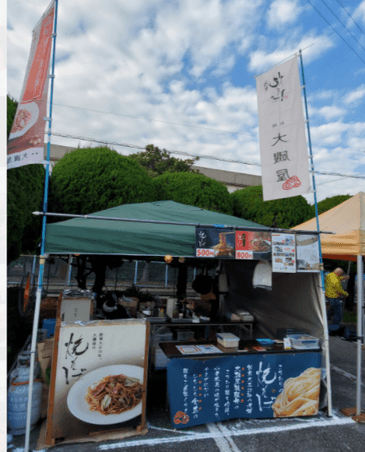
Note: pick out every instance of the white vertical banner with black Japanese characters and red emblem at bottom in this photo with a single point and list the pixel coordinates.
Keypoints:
(283, 144)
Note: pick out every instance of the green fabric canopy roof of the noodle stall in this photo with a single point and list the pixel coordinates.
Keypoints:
(137, 238)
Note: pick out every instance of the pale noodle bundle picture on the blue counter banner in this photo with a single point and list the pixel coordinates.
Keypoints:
(300, 396)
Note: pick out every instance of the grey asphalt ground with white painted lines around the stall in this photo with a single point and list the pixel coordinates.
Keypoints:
(319, 433)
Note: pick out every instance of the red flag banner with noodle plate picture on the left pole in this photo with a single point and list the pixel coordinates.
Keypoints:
(26, 140)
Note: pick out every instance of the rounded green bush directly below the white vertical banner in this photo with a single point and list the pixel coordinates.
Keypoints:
(286, 213)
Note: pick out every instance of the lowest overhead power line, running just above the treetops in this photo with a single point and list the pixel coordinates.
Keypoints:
(208, 157)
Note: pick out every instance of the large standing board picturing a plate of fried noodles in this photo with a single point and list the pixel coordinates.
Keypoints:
(99, 378)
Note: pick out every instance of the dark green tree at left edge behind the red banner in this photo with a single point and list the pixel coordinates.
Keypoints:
(25, 188)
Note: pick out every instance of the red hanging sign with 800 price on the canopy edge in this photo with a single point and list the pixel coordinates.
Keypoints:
(253, 245)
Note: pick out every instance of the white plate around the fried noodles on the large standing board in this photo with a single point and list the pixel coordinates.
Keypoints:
(80, 408)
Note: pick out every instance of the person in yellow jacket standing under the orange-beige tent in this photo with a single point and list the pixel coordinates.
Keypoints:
(334, 291)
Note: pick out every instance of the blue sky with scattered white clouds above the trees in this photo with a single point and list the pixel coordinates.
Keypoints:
(180, 74)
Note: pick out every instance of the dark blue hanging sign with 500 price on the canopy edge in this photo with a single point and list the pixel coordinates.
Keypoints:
(215, 242)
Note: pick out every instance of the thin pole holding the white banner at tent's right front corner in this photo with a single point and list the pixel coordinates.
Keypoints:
(323, 299)
